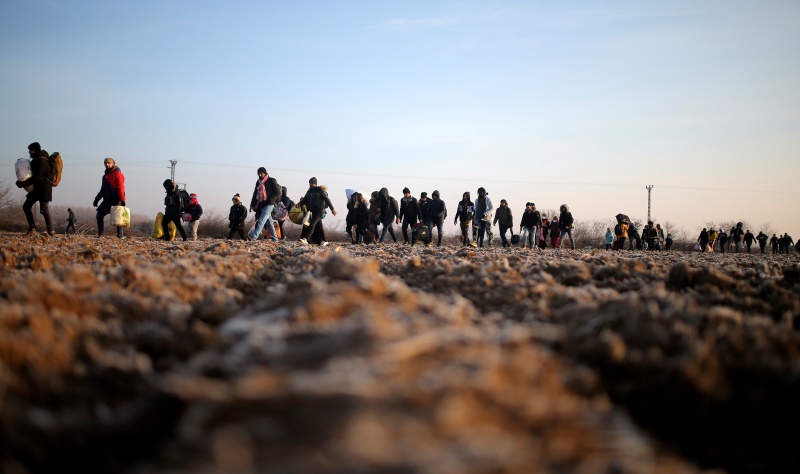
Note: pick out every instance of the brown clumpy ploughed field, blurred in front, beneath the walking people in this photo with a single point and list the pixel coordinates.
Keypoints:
(142, 356)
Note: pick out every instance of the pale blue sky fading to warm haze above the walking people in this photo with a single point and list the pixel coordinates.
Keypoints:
(582, 103)
